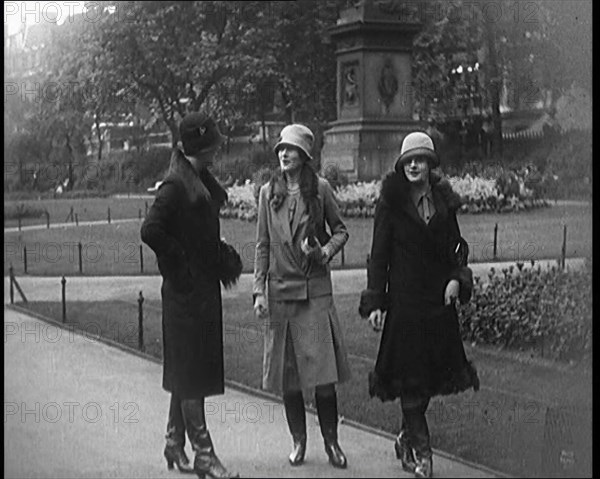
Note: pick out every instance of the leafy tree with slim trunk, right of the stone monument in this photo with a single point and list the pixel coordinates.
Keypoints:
(514, 43)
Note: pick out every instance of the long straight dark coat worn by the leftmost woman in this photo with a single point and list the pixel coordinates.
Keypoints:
(182, 228)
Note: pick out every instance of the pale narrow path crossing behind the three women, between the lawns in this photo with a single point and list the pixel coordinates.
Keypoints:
(102, 288)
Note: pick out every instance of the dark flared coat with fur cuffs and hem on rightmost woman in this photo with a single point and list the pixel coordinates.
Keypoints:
(421, 351)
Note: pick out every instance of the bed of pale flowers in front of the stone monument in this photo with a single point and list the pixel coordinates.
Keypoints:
(508, 193)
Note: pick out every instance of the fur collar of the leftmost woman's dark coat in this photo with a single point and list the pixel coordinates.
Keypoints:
(198, 187)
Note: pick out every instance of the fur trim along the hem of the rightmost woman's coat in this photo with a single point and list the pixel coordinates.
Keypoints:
(388, 391)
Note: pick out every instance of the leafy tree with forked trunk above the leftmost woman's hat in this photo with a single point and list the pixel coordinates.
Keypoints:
(173, 69)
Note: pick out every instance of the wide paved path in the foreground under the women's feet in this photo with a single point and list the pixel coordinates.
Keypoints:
(75, 407)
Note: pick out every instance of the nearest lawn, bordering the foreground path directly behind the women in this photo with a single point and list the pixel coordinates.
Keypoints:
(502, 426)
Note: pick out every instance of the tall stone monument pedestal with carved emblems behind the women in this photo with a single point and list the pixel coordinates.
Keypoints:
(374, 89)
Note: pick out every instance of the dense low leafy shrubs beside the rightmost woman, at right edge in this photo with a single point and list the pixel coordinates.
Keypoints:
(549, 310)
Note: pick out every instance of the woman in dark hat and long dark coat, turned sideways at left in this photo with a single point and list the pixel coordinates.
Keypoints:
(182, 228)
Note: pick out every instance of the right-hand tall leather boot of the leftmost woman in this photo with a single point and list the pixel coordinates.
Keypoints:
(206, 462)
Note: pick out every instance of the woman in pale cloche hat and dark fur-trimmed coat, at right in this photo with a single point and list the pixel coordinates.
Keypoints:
(416, 273)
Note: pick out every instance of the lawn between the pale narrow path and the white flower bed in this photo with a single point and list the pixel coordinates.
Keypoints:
(109, 249)
